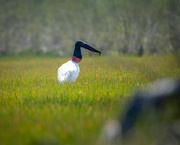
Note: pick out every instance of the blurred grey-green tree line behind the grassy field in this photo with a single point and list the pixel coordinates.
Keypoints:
(112, 26)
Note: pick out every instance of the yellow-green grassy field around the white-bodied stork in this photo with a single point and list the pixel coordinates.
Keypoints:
(35, 109)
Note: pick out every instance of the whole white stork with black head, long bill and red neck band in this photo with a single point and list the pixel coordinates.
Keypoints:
(69, 71)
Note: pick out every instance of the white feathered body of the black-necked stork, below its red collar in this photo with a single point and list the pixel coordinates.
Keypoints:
(68, 72)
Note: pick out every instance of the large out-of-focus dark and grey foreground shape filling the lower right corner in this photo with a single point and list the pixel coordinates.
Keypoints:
(151, 117)
